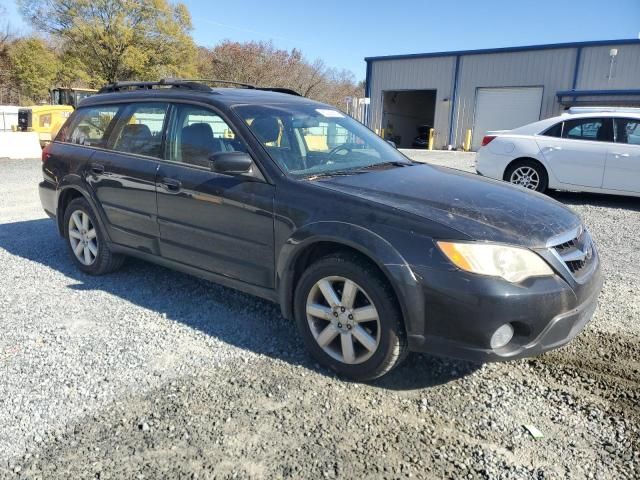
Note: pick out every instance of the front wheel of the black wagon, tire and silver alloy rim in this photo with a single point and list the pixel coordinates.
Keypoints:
(372, 355)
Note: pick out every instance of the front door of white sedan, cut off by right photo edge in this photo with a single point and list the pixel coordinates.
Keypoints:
(622, 171)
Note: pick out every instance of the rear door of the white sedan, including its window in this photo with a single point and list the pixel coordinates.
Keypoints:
(578, 155)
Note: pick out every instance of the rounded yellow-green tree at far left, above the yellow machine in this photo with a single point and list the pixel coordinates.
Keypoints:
(33, 68)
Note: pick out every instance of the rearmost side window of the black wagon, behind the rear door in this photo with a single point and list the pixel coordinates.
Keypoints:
(90, 126)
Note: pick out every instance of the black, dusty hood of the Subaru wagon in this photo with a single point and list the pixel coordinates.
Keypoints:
(483, 209)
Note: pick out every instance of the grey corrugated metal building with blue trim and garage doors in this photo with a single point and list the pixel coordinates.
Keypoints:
(495, 89)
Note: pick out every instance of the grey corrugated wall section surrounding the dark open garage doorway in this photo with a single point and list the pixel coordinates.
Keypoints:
(421, 74)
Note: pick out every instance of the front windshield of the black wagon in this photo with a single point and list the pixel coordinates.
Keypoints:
(310, 140)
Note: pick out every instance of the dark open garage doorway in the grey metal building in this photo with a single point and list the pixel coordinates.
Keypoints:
(407, 114)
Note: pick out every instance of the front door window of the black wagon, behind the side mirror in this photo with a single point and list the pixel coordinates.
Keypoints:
(198, 133)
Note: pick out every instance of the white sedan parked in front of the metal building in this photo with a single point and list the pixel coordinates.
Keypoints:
(596, 151)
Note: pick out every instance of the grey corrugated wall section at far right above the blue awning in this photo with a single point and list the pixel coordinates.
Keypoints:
(593, 73)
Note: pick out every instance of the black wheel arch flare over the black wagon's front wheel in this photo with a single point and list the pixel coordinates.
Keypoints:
(370, 244)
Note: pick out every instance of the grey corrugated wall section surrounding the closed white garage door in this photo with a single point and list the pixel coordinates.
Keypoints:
(550, 69)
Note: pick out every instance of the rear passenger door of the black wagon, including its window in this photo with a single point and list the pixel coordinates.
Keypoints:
(123, 174)
